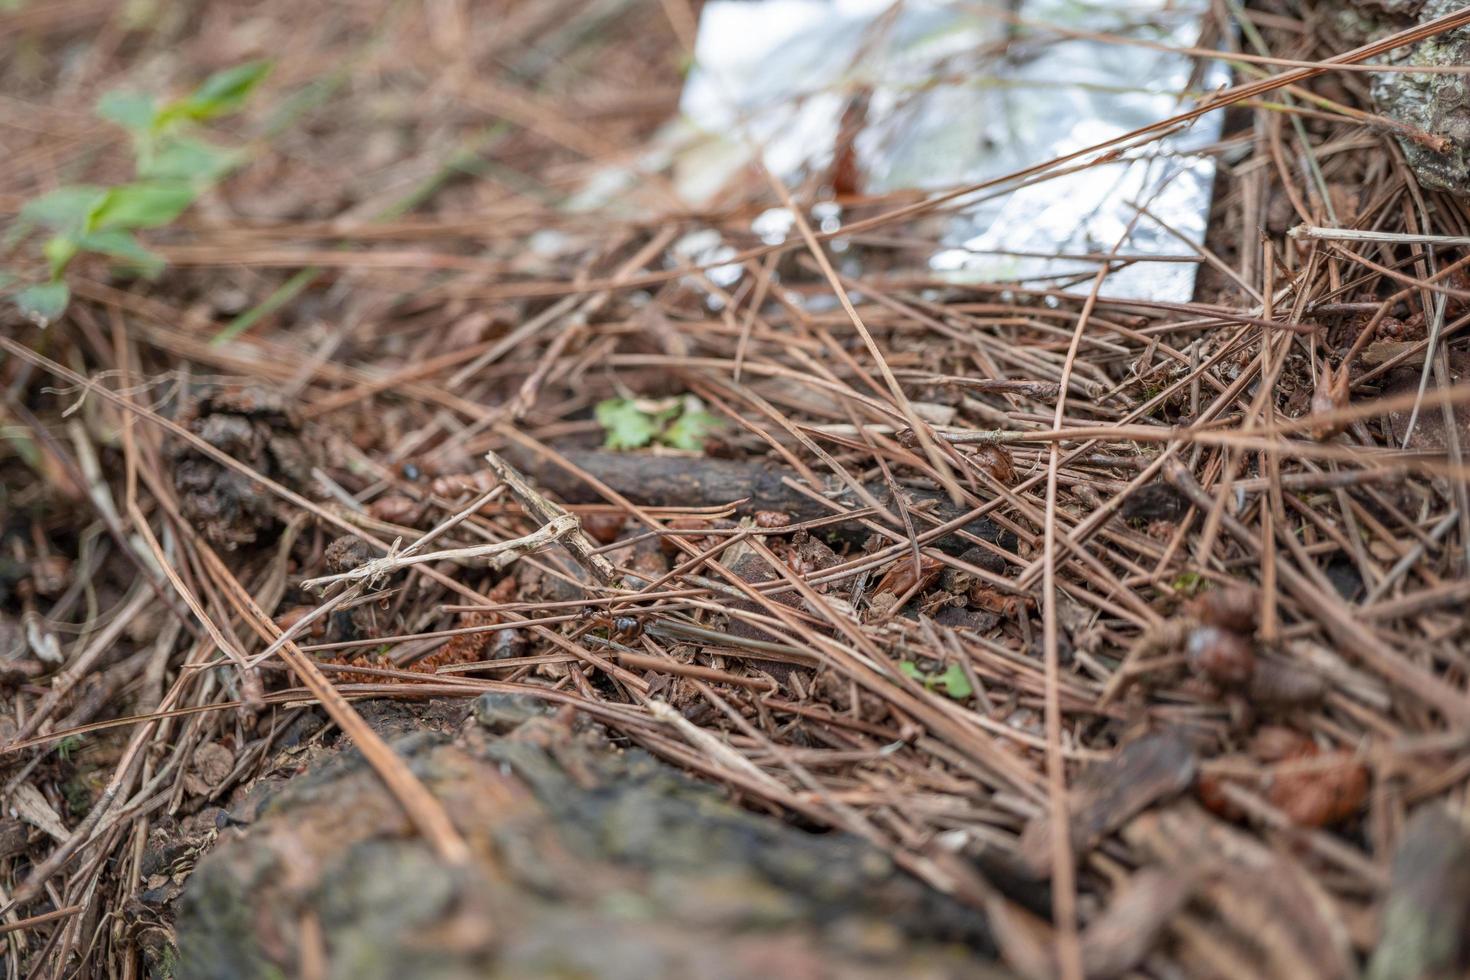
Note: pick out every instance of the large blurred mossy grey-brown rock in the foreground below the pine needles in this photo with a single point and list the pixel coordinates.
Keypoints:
(589, 863)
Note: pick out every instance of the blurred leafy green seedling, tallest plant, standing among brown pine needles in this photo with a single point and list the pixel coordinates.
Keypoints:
(173, 168)
